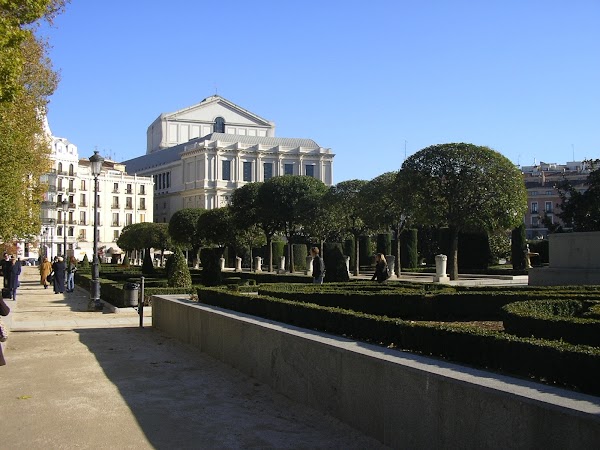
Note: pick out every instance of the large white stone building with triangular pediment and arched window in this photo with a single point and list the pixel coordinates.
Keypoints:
(199, 155)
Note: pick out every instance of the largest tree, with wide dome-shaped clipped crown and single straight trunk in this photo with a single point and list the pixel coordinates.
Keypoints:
(466, 188)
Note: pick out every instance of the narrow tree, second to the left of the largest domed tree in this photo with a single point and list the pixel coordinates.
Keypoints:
(344, 199)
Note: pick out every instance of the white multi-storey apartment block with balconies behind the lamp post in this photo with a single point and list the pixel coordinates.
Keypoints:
(122, 199)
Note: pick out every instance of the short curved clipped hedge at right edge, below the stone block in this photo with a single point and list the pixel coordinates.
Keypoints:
(554, 319)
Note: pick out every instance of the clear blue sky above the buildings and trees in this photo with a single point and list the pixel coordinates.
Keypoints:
(374, 81)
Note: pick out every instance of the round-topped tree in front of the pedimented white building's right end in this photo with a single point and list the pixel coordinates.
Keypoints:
(290, 201)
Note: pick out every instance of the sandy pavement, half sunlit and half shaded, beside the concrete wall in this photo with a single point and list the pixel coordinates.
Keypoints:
(79, 379)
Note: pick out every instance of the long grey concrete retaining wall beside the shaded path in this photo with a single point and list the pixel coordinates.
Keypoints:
(405, 401)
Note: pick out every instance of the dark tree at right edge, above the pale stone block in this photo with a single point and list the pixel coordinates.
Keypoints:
(581, 210)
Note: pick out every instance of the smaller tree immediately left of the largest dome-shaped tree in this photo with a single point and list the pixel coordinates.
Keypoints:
(385, 208)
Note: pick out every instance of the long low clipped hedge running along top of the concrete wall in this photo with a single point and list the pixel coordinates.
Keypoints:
(568, 365)
